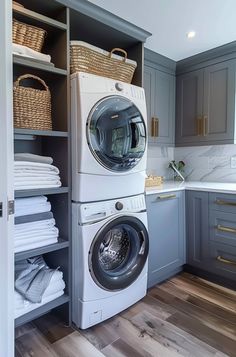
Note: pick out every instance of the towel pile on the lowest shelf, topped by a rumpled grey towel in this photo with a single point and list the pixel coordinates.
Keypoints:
(36, 284)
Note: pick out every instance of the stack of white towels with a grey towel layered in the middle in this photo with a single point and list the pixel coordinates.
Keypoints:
(34, 224)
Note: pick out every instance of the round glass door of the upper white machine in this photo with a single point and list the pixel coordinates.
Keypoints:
(116, 133)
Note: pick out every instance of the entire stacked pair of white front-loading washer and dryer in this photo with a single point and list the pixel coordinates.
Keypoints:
(109, 220)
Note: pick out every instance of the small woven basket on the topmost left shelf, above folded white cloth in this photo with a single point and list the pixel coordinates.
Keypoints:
(28, 35)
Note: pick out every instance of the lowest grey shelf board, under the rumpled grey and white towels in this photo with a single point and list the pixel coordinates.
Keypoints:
(41, 310)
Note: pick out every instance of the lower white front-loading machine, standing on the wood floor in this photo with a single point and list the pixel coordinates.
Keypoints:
(110, 249)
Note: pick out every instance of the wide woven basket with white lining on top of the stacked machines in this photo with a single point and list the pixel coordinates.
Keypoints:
(91, 59)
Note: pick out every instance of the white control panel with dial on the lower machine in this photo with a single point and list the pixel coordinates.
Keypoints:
(96, 211)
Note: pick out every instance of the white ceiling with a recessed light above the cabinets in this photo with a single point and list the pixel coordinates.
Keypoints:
(169, 20)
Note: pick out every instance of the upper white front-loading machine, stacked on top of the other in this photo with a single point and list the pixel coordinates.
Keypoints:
(109, 138)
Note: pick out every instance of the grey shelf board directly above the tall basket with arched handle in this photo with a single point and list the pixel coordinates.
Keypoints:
(40, 65)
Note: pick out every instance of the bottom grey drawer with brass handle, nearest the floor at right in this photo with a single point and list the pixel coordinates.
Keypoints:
(222, 260)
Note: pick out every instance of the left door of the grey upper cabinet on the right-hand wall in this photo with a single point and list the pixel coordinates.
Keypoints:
(189, 106)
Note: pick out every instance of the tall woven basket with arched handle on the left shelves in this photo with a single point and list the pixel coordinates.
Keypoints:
(32, 107)
